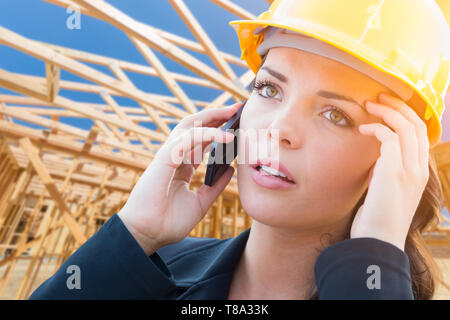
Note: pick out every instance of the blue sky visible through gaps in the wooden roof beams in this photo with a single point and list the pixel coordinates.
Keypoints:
(46, 22)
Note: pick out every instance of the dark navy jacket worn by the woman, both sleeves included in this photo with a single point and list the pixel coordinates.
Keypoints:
(112, 265)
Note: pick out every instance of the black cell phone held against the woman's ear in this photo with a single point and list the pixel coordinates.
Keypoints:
(221, 152)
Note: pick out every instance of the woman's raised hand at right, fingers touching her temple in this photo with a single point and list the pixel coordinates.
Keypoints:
(398, 178)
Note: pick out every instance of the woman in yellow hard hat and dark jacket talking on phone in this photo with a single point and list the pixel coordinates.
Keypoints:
(346, 225)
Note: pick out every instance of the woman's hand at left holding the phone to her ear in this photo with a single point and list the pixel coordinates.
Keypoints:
(161, 209)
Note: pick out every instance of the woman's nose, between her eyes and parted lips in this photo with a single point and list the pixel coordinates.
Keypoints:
(285, 129)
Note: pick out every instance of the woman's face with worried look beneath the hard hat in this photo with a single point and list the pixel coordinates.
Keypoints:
(322, 148)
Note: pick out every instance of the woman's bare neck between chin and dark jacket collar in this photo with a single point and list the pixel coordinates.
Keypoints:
(279, 263)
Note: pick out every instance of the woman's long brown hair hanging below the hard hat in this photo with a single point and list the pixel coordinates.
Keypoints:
(425, 273)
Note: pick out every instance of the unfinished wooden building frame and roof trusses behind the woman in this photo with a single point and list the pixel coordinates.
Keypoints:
(59, 184)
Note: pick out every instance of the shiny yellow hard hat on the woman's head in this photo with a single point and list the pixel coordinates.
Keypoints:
(408, 40)
